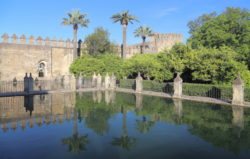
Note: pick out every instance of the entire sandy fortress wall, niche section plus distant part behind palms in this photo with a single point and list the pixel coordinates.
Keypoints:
(48, 59)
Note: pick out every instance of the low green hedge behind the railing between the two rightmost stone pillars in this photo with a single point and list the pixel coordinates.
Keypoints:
(207, 90)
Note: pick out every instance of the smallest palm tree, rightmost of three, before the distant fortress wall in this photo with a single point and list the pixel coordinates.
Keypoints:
(143, 32)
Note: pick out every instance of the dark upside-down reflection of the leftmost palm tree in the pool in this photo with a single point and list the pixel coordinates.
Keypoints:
(76, 143)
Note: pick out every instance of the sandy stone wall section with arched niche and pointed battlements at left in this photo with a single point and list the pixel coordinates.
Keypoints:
(44, 58)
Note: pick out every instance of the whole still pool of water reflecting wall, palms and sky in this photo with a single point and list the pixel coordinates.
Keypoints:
(118, 125)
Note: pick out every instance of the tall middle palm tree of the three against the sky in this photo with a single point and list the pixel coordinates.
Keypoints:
(124, 18)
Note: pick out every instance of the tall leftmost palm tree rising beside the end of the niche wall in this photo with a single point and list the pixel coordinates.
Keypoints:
(76, 19)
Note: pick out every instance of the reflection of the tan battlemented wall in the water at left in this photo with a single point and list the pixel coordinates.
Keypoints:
(46, 109)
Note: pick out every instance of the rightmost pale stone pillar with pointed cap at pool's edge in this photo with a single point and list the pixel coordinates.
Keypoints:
(238, 91)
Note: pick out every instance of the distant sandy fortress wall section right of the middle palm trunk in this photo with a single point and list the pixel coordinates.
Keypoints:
(157, 42)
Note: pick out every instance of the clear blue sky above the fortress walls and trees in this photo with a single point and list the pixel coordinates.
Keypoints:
(43, 17)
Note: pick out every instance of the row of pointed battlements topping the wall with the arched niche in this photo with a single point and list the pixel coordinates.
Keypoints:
(14, 39)
